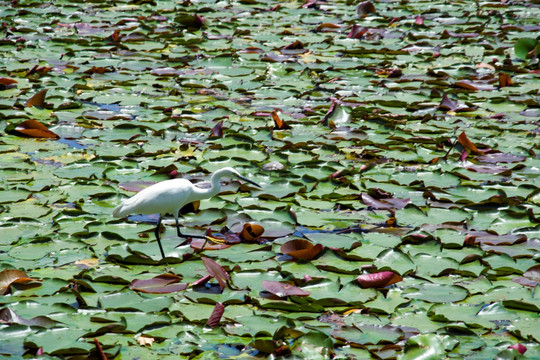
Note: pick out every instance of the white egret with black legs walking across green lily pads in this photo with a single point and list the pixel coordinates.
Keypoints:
(169, 196)
